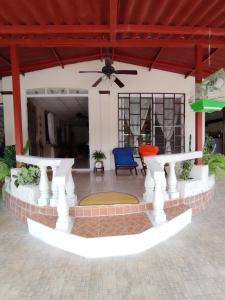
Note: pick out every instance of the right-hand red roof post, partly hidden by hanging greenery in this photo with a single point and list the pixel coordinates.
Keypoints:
(198, 115)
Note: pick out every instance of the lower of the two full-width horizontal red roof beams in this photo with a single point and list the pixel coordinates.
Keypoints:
(122, 43)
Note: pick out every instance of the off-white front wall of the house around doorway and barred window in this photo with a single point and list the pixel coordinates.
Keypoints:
(103, 127)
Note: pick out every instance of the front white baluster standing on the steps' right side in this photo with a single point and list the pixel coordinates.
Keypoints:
(158, 214)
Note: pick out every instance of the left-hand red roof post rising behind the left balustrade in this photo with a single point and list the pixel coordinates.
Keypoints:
(16, 100)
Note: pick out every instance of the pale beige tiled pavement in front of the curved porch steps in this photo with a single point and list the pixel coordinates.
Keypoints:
(191, 265)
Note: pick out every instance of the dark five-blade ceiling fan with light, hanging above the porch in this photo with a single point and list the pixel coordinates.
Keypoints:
(108, 70)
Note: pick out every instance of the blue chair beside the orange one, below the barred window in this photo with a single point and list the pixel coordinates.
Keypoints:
(124, 159)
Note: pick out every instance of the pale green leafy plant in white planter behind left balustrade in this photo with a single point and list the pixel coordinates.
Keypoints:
(28, 174)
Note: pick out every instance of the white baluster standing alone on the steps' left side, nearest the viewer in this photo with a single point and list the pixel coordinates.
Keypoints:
(64, 221)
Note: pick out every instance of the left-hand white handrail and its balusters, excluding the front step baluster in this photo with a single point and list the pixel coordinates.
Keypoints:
(49, 192)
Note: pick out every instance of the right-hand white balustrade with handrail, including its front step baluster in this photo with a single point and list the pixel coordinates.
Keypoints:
(157, 189)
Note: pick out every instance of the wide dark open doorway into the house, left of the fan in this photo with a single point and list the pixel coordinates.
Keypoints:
(59, 127)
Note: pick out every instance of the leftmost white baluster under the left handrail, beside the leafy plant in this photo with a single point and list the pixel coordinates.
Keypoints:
(43, 187)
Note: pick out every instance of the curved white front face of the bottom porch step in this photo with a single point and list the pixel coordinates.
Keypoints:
(113, 245)
